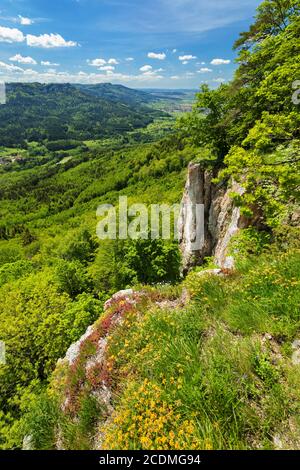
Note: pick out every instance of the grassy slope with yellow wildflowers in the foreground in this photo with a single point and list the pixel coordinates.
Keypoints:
(213, 374)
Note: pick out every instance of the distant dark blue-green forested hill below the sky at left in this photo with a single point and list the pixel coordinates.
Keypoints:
(36, 112)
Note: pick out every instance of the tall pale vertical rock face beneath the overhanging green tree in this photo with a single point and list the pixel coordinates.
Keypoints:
(222, 220)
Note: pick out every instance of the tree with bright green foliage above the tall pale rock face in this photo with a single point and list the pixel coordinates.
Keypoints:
(251, 125)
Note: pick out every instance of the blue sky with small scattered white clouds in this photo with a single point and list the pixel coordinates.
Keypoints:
(157, 43)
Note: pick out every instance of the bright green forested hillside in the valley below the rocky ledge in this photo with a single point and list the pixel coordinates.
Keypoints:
(55, 272)
